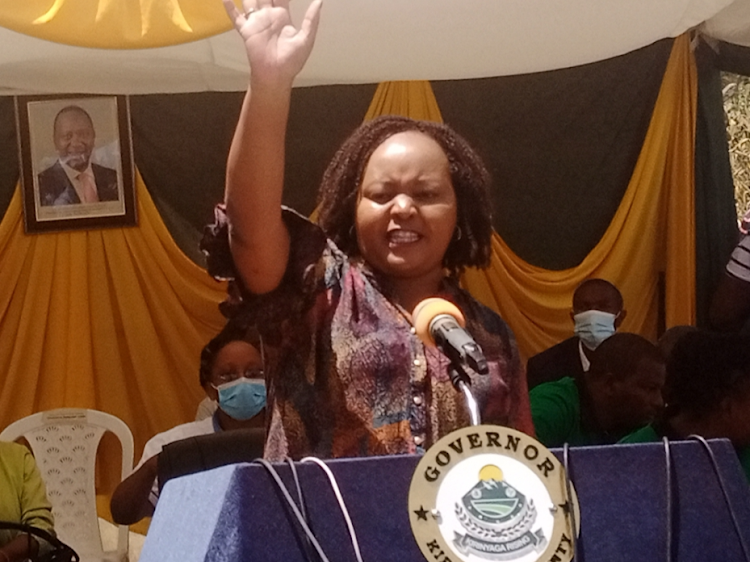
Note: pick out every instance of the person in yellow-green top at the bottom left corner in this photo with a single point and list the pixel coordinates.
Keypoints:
(23, 499)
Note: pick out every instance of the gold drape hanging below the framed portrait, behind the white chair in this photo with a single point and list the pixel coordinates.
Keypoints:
(108, 319)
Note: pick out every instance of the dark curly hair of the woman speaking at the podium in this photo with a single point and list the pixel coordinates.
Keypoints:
(337, 198)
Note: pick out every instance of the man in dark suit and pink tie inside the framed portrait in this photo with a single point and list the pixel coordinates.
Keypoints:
(74, 179)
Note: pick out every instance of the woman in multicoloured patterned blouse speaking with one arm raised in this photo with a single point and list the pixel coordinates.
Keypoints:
(404, 208)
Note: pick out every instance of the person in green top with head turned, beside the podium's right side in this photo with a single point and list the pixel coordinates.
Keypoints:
(619, 393)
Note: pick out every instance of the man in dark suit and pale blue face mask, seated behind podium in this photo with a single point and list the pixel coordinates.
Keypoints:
(597, 314)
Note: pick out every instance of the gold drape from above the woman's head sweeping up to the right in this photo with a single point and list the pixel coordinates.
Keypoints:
(652, 232)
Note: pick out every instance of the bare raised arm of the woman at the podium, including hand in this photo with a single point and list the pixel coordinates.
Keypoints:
(276, 51)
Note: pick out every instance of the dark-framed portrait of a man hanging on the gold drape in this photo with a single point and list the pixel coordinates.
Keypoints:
(76, 162)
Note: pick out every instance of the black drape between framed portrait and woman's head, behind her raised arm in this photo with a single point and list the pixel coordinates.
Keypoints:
(181, 144)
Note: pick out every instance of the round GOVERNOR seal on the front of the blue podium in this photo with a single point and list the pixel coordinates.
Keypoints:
(492, 493)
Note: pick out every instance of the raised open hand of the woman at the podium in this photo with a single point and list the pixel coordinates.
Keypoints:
(276, 49)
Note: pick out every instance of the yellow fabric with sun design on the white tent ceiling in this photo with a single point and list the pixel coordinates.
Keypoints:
(115, 24)
